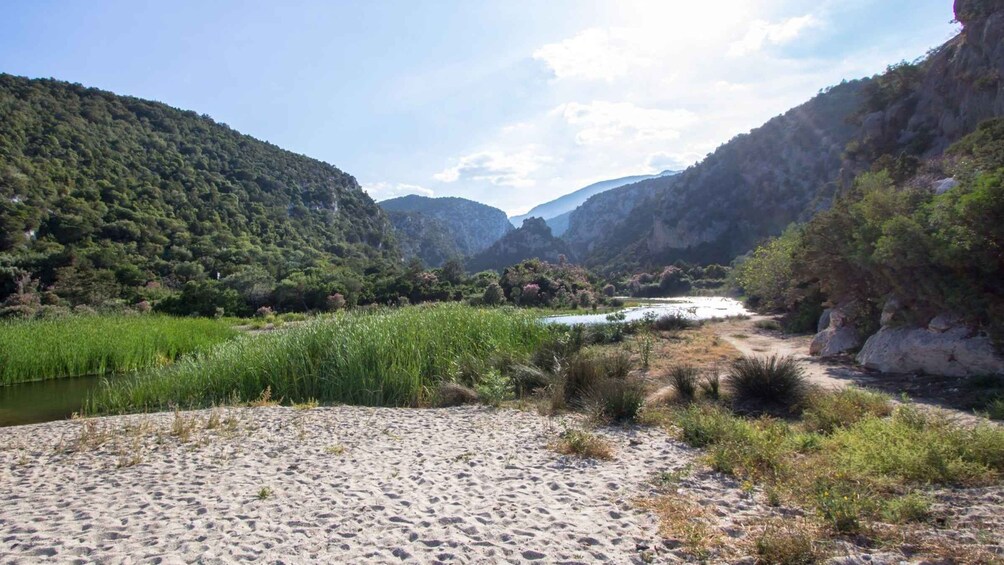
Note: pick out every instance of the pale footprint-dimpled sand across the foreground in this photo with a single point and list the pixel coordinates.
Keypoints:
(464, 485)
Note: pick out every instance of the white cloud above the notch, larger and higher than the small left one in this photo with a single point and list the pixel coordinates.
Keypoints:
(603, 122)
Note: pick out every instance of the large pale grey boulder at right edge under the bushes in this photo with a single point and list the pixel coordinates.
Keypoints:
(954, 352)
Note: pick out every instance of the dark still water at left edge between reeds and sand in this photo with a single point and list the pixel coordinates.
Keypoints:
(46, 401)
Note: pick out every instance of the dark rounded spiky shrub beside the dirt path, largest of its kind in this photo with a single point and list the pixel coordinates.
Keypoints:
(768, 383)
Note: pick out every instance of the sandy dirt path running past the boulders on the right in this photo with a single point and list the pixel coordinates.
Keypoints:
(948, 394)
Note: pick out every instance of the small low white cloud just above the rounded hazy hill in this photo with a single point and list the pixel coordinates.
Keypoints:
(498, 168)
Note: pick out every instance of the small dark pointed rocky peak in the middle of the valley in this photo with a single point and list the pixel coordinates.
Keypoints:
(532, 240)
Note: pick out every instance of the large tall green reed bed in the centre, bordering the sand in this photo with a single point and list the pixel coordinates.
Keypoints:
(387, 358)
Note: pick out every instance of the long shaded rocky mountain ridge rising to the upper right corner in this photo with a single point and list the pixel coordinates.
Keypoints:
(786, 171)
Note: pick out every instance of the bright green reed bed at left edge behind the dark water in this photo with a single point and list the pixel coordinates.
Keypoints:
(80, 346)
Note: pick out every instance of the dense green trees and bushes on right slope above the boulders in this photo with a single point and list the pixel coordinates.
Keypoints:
(894, 236)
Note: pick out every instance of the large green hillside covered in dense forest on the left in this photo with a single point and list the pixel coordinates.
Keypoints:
(102, 195)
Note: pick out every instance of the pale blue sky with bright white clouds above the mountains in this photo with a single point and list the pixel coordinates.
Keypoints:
(510, 103)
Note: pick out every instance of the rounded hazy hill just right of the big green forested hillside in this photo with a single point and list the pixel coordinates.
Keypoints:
(441, 228)
